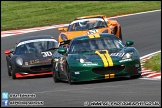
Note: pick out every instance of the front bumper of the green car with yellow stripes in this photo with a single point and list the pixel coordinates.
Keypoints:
(94, 71)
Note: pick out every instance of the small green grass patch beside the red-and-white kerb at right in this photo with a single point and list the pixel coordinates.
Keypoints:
(154, 63)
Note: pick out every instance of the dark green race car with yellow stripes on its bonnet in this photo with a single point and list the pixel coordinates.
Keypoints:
(95, 57)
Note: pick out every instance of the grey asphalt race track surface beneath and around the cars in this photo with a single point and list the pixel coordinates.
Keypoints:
(143, 29)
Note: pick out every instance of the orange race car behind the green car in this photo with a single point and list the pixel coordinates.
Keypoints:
(88, 25)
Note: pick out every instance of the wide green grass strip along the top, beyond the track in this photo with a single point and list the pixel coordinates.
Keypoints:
(28, 14)
